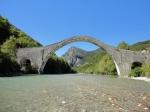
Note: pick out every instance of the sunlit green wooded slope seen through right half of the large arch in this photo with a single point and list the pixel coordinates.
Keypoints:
(98, 63)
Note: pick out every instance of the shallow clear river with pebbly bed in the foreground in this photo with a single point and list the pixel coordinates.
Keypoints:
(73, 93)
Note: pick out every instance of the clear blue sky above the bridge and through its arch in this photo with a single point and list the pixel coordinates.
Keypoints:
(50, 21)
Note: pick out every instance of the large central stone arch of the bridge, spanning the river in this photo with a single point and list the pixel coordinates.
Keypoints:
(54, 47)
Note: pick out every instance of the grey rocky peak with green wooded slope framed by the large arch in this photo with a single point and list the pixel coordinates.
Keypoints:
(96, 62)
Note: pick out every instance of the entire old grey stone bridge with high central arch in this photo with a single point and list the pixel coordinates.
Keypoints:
(123, 59)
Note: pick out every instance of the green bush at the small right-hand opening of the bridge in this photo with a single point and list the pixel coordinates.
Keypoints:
(136, 72)
